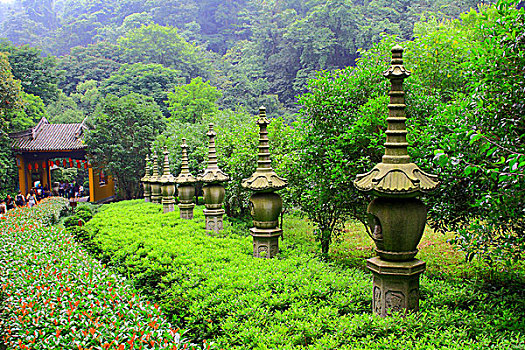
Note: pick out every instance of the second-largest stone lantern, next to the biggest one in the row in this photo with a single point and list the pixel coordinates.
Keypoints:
(265, 204)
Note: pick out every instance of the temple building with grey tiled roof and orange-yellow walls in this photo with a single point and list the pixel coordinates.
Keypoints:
(46, 147)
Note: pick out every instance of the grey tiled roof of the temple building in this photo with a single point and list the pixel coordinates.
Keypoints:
(49, 137)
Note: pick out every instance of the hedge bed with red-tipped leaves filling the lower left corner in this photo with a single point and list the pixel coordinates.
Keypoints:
(54, 295)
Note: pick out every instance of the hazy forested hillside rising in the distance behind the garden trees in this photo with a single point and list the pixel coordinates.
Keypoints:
(255, 52)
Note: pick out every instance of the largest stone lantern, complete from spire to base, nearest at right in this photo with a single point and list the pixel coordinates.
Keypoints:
(396, 217)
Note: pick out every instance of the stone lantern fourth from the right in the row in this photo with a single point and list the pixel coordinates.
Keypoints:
(186, 188)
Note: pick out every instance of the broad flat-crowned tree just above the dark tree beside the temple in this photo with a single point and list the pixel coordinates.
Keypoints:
(151, 79)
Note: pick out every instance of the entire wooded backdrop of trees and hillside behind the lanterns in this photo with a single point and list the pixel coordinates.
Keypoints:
(173, 67)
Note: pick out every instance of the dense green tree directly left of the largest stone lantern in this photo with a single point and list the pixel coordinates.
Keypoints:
(338, 137)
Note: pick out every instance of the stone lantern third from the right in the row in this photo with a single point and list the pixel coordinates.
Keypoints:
(213, 177)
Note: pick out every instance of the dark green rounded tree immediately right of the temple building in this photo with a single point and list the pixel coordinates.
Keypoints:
(121, 137)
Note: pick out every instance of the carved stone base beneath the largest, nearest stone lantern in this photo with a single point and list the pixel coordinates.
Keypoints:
(395, 285)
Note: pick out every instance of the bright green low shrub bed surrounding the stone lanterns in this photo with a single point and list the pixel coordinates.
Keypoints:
(213, 287)
